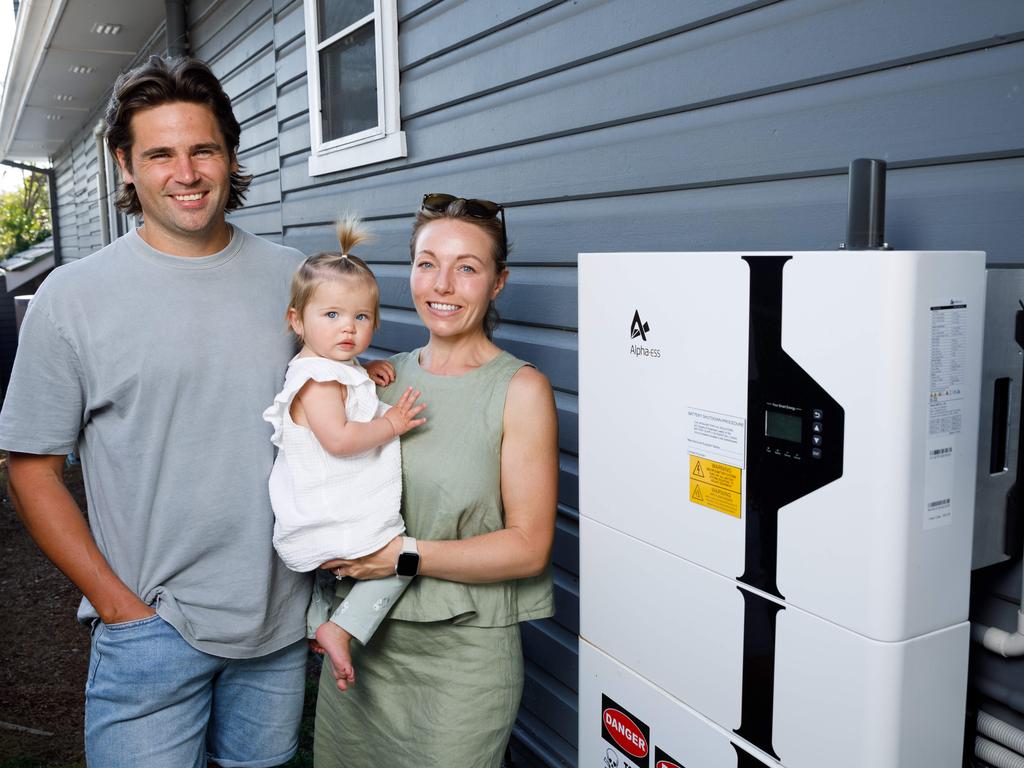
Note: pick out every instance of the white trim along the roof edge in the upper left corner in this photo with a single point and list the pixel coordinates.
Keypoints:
(37, 21)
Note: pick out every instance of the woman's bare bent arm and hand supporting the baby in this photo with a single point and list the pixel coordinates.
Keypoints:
(530, 495)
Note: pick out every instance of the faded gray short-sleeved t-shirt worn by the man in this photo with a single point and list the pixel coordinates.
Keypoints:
(157, 369)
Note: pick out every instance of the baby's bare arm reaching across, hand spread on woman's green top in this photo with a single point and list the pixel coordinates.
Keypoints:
(321, 406)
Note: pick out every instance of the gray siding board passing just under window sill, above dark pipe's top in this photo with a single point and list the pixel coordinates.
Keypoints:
(965, 114)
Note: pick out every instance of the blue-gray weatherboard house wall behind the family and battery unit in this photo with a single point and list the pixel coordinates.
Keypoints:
(619, 125)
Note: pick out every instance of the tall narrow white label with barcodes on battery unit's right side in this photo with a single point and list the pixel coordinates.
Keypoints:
(948, 360)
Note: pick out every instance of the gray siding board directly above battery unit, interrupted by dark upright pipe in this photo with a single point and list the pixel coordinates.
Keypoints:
(970, 204)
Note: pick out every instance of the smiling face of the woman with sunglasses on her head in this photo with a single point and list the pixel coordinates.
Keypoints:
(454, 278)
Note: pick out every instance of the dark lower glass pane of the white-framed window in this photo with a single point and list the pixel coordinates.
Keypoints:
(349, 84)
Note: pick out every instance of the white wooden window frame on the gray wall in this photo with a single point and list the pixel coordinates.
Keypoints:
(385, 142)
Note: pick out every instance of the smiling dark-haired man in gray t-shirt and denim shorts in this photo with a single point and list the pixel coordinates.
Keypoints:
(155, 359)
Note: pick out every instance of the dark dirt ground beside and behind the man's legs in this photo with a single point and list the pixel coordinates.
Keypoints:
(46, 653)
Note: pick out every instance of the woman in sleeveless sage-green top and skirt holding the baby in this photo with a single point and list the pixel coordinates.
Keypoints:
(441, 682)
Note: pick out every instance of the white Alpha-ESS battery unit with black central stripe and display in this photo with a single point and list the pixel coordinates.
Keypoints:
(777, 485)
